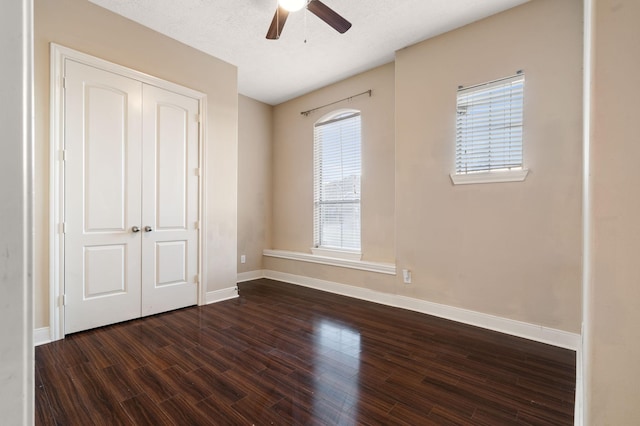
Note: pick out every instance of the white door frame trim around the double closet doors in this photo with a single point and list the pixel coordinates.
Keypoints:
(58, 55)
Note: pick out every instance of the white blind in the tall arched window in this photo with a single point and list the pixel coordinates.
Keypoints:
(337, 172)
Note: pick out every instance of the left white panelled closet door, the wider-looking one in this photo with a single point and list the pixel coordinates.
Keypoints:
(102, 187)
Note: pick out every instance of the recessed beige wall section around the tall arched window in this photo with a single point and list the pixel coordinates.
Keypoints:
(292, 225)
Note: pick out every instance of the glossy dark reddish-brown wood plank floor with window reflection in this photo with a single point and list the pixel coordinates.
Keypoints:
(282, 354)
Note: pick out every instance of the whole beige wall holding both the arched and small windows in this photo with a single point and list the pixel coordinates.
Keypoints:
(510, 249)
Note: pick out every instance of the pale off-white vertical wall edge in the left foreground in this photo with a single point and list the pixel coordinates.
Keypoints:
(17, 281)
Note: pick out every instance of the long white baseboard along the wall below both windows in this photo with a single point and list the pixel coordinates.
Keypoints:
(529, 331)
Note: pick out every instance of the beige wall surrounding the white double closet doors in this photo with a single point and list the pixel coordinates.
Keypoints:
(83, 26)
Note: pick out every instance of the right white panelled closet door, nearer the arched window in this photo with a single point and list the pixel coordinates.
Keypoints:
(170, 201)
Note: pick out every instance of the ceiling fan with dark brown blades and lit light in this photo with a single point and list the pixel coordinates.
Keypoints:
(316, 7)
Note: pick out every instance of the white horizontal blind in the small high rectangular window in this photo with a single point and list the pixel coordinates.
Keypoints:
(489, 126)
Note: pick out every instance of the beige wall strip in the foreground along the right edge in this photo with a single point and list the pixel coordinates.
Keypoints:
(614, 298)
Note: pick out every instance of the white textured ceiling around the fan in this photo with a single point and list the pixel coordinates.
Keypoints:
(274, 71)
